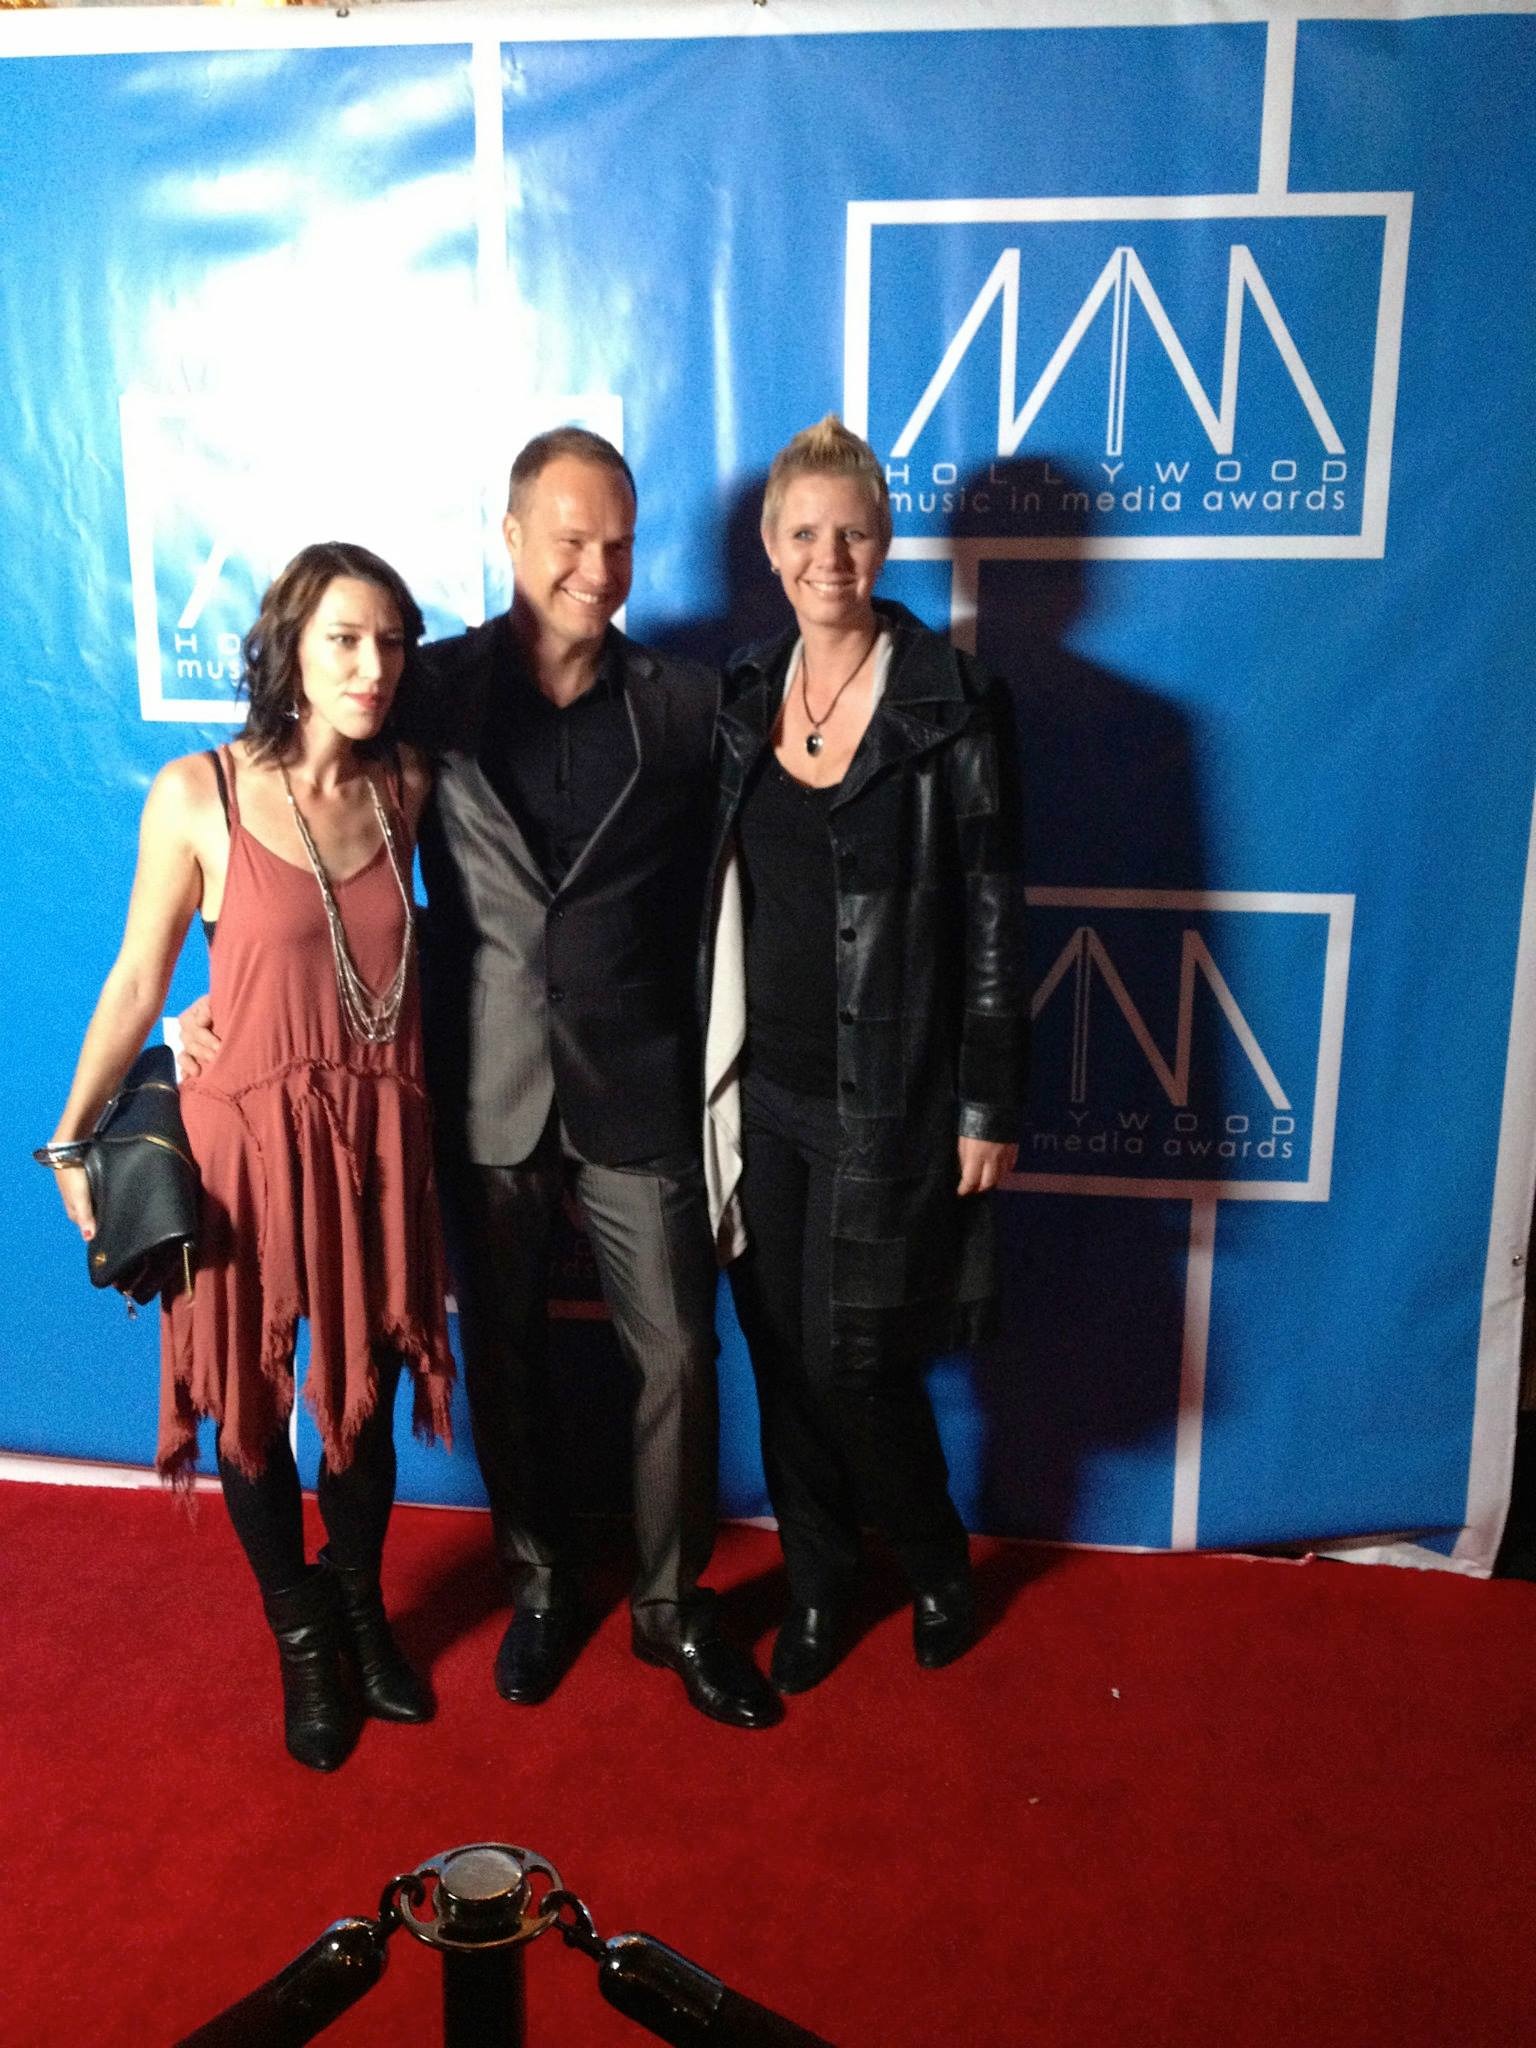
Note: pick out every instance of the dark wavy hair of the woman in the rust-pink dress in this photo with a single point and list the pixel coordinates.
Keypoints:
(271, 648)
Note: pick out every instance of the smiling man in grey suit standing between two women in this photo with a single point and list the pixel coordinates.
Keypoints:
(564, 857)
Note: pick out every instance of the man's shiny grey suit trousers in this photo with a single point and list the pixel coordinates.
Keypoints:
(652, 1244)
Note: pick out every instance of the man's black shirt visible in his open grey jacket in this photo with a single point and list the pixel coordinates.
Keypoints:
(560, 769)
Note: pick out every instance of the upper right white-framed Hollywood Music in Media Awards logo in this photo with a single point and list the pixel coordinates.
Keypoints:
(1129, 378)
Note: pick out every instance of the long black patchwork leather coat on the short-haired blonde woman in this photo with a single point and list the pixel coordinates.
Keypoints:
(933, 998)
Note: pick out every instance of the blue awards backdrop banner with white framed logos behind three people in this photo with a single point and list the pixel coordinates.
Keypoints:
(1197, 341)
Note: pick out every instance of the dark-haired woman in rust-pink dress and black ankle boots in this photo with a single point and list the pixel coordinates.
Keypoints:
(310, 1129)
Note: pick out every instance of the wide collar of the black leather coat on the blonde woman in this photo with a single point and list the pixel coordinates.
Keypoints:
(925, 699)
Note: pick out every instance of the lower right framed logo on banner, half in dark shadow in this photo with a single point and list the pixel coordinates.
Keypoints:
(1187, 1043)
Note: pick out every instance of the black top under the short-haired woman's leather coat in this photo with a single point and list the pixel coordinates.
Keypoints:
(792, 923)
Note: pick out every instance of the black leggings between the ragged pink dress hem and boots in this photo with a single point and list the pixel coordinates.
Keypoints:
(355, 1504)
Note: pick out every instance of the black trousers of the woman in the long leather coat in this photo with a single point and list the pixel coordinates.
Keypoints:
(841, 1445)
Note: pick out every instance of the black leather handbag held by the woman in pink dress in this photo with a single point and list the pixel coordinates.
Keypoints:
(144, 1185)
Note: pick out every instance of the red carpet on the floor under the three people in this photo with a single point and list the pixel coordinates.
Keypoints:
(1168, 1801)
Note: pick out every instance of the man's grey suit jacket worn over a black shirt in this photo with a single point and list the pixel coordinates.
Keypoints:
(583, 994)
